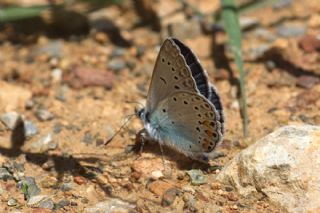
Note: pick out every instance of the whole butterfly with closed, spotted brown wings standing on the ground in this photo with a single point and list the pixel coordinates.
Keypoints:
(183, 109)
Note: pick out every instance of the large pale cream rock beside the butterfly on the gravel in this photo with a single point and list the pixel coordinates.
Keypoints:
(283, 166)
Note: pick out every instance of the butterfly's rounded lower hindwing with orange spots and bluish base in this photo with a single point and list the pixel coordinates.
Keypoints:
(189, 123)
